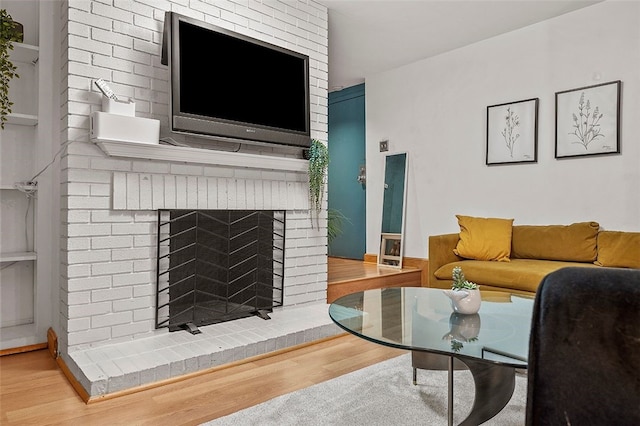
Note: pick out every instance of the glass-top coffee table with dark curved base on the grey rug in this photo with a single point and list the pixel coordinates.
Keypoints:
(492, 343)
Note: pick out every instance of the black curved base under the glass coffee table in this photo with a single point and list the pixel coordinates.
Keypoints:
(494, 388)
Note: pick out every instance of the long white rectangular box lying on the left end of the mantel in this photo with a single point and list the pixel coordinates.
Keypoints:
(122, 128)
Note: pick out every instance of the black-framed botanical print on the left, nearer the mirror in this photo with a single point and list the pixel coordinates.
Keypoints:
(512, 132)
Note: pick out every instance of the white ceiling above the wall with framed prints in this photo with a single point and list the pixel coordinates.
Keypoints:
(371, 36)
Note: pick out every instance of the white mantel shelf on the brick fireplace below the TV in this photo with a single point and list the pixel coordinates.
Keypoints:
(201, 156)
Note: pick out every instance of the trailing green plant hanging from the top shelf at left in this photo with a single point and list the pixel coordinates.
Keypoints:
(10, 32)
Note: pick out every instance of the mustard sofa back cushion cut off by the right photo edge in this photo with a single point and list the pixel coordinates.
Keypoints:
(618, 249)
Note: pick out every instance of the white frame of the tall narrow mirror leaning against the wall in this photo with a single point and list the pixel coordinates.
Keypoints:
(385, 258)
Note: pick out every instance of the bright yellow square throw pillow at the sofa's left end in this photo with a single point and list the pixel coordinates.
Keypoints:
(484, 238)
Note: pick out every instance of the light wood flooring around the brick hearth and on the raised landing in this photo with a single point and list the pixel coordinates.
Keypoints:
(34, 391)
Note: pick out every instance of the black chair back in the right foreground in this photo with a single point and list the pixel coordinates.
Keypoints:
(584, 350)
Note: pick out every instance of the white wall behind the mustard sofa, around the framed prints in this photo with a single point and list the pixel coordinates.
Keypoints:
(435, 110)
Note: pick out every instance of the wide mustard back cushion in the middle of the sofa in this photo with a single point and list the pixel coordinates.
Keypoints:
(572, 243)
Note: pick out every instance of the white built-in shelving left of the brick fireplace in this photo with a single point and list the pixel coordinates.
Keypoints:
(21, 319)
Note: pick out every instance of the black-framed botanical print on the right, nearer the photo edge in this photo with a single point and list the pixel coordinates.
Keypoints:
(588, 120)
